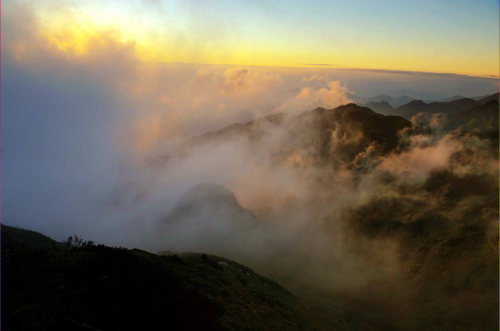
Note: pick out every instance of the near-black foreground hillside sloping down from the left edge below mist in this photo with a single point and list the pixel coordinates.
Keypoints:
(105, 288)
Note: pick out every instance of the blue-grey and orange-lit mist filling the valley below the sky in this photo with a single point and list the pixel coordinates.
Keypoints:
(105, 145)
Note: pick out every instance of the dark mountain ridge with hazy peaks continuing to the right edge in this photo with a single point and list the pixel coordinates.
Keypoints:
(311, 131)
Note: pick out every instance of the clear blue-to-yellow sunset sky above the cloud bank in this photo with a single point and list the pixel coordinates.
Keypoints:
(432, 36)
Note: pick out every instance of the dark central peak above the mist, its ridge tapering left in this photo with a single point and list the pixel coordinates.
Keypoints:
(324, 136)
